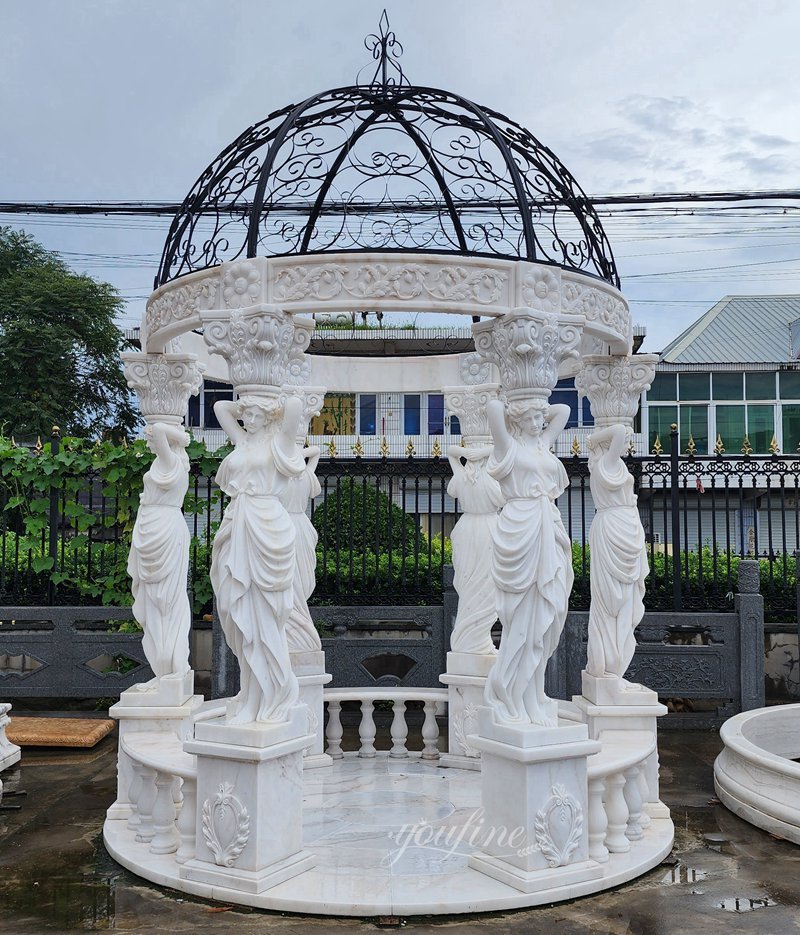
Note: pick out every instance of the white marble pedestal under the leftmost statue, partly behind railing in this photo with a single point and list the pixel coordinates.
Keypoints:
(166, 708)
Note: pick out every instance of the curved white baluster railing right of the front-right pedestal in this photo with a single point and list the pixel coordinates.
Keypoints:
(618, 792)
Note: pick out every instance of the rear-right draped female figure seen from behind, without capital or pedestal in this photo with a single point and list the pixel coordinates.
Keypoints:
(479, 499)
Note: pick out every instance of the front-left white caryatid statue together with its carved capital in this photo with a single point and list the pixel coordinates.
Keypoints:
(253, 558)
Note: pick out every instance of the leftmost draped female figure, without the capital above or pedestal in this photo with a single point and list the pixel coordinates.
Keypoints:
(159, 556)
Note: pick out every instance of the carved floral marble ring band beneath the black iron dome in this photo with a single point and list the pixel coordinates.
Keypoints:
(377, 282)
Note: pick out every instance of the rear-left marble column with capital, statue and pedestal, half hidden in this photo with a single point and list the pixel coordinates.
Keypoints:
(305, 646)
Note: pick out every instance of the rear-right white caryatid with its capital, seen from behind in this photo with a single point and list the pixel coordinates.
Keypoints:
(479, 499)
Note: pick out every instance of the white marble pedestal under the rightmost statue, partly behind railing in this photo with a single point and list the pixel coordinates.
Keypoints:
(624, 707)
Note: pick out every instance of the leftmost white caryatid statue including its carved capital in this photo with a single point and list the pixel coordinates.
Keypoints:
(158, 562)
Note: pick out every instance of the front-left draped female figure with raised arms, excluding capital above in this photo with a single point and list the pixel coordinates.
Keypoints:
(253, 558)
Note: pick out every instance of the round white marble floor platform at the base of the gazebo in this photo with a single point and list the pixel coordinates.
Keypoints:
(391, 837)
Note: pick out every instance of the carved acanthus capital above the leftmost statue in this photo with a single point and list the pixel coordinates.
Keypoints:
(163, 383)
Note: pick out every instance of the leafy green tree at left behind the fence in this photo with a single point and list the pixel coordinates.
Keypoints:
(59, 346)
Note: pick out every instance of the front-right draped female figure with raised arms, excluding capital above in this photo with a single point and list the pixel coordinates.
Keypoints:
(532, 564)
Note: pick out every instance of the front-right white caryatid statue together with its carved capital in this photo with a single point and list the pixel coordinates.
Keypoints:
(532, 556)
